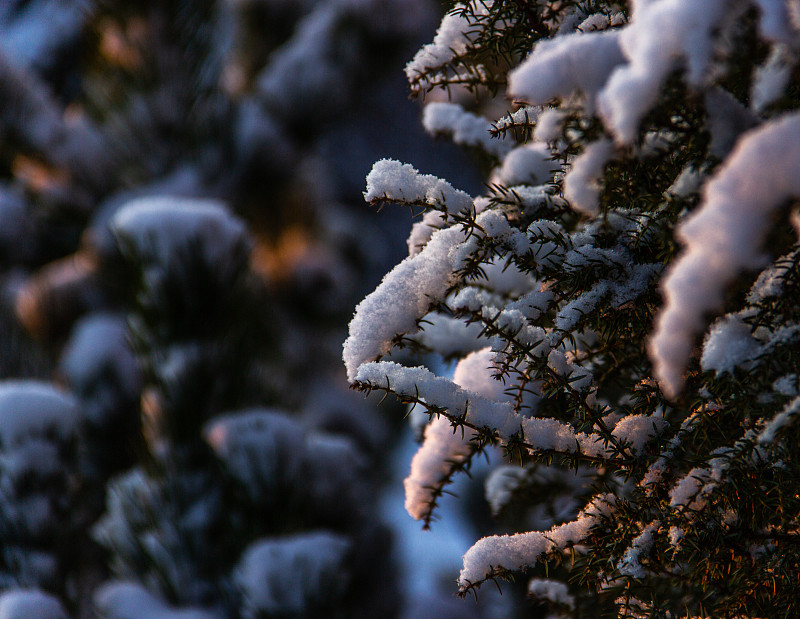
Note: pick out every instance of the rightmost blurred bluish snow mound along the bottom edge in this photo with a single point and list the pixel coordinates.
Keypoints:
(296, 576)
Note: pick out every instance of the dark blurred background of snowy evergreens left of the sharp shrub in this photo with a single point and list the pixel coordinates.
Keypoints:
(183, 239)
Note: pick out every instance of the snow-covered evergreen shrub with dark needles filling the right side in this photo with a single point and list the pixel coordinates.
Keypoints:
(642, 192)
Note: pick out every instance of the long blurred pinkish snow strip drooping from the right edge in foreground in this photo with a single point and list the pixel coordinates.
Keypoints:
(723, 238)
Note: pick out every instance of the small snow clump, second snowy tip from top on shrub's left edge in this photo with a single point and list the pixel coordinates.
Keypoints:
(466, 129)
